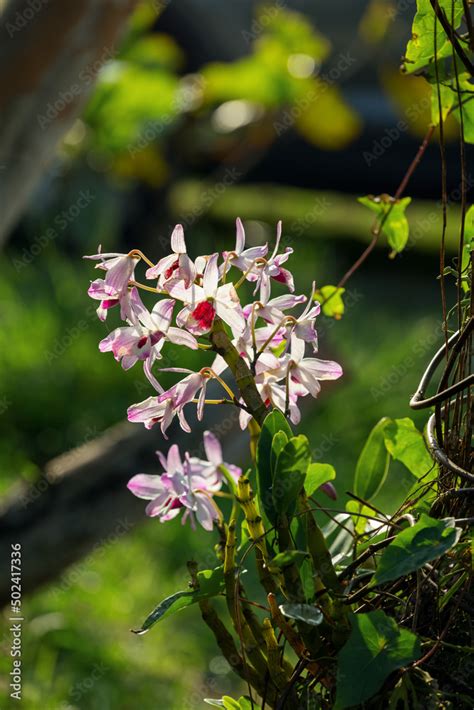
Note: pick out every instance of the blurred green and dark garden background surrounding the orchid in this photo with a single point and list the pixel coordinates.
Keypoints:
(205, 111)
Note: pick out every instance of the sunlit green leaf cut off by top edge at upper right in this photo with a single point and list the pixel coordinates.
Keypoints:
(420, 49)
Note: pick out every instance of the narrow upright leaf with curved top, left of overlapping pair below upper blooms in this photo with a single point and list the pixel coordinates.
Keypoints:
(274, 423)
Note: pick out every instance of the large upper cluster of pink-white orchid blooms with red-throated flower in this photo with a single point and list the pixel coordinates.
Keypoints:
(272, 342)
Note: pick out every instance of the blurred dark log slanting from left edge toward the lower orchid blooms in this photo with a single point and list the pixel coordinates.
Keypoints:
(81, 500)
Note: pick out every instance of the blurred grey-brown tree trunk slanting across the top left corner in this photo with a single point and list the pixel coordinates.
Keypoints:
(50, 55)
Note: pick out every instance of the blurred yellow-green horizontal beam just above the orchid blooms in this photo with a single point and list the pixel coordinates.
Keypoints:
(313, 213)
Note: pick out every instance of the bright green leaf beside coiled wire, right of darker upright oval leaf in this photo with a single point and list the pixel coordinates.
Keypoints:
(406, 444)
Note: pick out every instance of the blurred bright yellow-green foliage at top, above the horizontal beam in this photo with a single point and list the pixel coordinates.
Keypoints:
(142, 95)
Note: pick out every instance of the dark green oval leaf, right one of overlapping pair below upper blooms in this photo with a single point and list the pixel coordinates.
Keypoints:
(290, 472)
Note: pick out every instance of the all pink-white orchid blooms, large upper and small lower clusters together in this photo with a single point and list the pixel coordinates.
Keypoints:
(270, 343)
